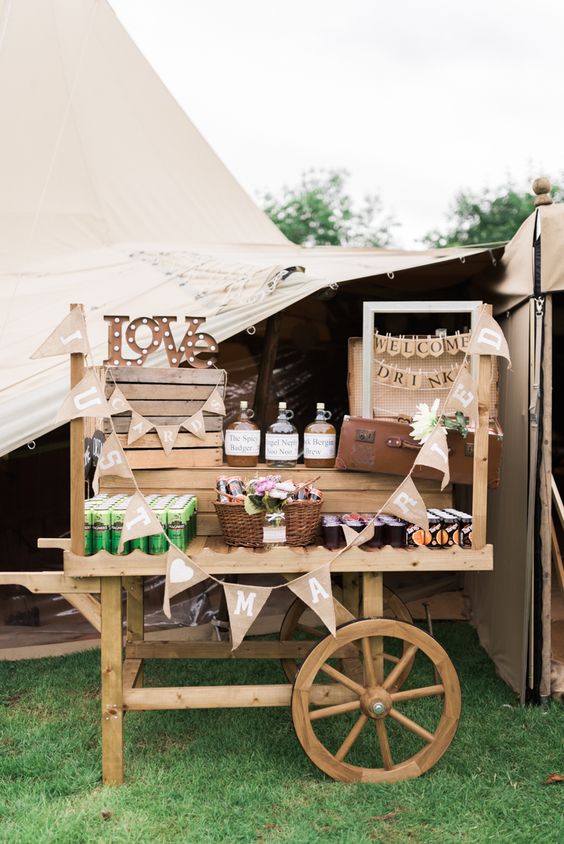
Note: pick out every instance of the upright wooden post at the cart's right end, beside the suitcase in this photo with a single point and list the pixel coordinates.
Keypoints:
(481, 447)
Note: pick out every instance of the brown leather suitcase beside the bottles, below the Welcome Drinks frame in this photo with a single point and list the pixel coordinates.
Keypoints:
(385, 445)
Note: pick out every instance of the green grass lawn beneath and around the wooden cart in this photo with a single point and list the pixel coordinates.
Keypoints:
(240, 775)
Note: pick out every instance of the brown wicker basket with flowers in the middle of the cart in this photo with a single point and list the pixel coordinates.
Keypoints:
(302, 519)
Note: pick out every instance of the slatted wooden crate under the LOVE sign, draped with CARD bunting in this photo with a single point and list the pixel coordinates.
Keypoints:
(167, 396)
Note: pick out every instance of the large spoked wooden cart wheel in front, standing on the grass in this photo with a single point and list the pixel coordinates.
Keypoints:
(374, 732)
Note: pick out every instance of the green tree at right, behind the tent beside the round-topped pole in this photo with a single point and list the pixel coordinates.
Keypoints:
(492, 216)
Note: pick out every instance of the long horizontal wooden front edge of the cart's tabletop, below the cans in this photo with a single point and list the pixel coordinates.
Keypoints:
(215, 557)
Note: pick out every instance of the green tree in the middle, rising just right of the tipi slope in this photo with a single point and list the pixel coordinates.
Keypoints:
(319, 210)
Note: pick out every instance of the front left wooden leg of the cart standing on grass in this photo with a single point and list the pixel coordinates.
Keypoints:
(112, 681)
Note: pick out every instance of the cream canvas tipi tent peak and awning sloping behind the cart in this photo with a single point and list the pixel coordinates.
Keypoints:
(111, 197)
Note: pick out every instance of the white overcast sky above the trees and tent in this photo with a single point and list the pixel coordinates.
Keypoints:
(415, 99)
